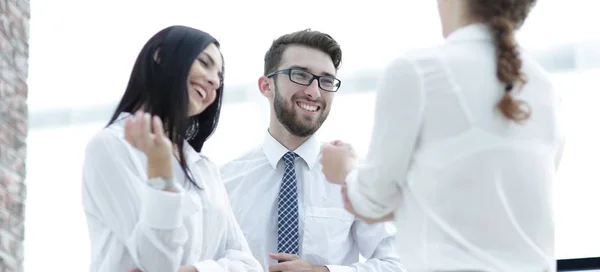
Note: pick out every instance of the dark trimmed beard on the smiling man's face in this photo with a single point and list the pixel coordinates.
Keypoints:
(287, 116)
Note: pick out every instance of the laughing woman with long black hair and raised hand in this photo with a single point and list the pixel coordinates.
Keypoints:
(152, 201)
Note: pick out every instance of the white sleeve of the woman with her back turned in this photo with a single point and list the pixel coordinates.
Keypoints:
(374, 187)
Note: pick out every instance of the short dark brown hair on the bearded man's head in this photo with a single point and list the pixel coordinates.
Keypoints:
(310, 38)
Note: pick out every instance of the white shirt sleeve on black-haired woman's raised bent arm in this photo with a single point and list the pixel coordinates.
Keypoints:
(125, 216)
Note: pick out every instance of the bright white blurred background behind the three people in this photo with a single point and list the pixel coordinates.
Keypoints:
(81, 53)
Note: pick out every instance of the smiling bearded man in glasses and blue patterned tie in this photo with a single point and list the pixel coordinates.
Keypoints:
(293, 219)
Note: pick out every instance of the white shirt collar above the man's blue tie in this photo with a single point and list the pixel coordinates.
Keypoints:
(309, 150)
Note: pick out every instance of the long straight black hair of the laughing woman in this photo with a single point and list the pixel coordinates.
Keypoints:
(158, 83)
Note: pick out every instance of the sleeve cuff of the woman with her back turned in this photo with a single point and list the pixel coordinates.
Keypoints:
(362, 205)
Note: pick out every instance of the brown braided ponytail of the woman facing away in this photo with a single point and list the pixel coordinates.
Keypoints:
(505, 16)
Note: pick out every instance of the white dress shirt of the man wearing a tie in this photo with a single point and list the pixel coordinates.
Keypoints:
(328, 234)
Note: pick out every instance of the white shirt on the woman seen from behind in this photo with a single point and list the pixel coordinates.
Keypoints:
(470, 190)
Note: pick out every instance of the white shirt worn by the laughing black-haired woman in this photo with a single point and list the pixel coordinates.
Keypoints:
(132, 225)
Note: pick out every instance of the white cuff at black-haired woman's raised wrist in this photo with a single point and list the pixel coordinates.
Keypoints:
(161, 209)
